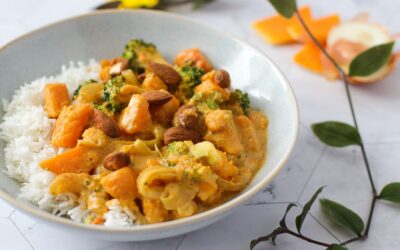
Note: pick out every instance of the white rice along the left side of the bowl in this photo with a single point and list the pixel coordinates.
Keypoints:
(27, 132)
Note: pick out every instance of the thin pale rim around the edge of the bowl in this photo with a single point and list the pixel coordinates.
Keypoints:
(213, 212)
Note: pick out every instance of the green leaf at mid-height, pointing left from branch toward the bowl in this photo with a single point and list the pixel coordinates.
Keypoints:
(336, 134)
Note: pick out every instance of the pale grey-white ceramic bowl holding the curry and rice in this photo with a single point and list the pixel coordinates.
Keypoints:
(103, 35)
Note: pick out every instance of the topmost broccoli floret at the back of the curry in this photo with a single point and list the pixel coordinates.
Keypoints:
(137, 52)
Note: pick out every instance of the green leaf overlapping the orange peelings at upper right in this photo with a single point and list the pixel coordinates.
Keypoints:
(371, 60)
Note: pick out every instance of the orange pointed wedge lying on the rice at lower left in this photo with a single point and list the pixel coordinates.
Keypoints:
(76, 160)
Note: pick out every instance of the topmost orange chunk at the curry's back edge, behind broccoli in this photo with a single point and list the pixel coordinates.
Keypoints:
(195, 57)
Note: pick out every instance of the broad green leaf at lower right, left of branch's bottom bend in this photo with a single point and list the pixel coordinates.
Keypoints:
(342, 216)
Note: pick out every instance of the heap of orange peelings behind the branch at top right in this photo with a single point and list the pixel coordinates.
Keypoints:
(343, 41)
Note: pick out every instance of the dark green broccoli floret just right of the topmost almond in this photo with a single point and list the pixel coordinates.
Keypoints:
(191, 77)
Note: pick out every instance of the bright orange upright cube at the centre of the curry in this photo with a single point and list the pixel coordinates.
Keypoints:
(136, 117)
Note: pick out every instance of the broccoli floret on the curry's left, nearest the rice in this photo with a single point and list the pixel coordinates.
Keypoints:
(111, 89)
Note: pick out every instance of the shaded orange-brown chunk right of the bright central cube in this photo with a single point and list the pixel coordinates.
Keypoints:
(164, 114)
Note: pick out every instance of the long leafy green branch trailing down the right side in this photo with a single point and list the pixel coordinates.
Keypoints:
(339, 134)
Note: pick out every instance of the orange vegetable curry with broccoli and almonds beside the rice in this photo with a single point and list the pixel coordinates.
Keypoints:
(161, 141)
